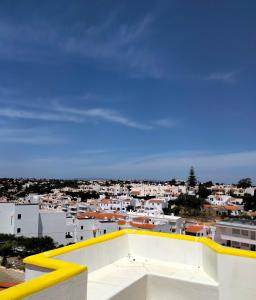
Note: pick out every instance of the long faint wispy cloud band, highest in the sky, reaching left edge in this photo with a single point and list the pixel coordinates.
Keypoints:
(114, 42)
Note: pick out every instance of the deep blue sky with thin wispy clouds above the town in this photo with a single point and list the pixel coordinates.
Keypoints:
(128, 89)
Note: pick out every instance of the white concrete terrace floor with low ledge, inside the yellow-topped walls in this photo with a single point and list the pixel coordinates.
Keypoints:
(146, 279)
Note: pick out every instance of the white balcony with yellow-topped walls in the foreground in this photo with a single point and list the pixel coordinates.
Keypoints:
(139, 265)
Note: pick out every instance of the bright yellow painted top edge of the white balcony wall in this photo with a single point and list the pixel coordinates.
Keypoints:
(64, 270)
